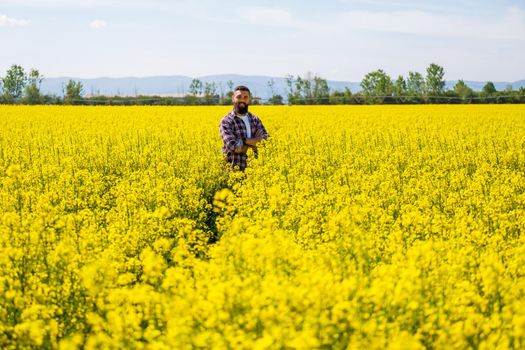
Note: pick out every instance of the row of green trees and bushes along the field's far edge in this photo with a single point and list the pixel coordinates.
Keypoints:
(21, 87)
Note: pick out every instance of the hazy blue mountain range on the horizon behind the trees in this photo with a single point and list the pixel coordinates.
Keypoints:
(178, 85)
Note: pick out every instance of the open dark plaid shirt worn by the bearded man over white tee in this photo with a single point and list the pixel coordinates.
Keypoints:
(233, 133)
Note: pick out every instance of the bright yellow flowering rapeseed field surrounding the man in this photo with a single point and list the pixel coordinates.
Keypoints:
(381, 227)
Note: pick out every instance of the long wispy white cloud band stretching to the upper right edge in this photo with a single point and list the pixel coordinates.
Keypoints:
(507, 26)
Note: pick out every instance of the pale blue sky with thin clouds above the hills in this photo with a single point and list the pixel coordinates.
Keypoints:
(335, 39)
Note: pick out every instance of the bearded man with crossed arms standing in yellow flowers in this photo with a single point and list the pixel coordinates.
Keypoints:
(240, 130)
